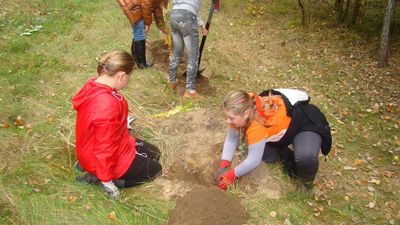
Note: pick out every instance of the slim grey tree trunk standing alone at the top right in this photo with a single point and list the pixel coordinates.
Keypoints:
(384, 52)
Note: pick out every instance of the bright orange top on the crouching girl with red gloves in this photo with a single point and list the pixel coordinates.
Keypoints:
(273, 126)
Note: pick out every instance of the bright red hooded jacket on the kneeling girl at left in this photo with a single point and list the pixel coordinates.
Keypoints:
(103, 144)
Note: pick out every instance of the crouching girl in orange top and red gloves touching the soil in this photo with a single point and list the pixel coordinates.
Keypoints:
(269, 125)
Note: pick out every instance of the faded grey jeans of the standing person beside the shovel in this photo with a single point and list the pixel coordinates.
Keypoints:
(185, 32)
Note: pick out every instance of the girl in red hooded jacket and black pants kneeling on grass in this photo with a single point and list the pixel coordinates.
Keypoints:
(104, 147)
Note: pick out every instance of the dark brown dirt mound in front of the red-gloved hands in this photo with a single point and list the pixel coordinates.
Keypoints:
(207, 205)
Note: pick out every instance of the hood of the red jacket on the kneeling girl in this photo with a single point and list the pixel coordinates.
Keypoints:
(88, 92)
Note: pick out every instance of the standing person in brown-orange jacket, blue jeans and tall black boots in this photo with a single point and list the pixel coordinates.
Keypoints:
(140, 14)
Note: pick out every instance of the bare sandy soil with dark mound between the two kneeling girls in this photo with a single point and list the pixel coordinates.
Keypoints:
(194, 142)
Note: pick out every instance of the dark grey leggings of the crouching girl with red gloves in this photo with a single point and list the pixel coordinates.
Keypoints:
(306, 147)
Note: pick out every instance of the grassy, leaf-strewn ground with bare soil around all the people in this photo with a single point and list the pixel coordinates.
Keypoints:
(246, 49)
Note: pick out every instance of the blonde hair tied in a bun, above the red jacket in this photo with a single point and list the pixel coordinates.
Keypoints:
(115, 60)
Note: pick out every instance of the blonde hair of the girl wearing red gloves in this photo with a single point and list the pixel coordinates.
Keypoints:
(237, 102)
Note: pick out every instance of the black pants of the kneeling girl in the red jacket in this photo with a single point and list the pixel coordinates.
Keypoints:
(145, 166)
